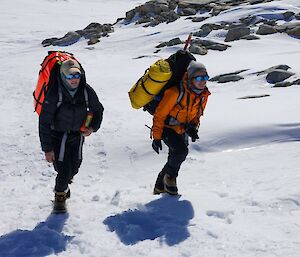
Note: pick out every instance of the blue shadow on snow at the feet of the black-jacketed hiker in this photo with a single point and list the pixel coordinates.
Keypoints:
(45, 239)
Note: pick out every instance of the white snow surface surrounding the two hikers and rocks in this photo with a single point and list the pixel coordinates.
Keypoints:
(239, 184)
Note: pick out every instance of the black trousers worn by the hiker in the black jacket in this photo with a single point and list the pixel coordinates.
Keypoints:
(68, 157)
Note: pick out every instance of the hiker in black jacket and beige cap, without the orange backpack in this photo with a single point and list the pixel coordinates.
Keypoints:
(66, 106)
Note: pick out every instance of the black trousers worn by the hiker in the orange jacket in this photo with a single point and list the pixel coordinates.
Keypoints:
(178, 150)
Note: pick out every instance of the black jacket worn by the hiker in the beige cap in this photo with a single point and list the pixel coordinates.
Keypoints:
(71, 113)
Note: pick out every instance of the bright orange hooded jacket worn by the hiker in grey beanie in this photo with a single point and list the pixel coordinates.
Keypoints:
(188, 110)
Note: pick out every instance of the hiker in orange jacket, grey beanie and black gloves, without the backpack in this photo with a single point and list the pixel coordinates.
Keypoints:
(175, 120)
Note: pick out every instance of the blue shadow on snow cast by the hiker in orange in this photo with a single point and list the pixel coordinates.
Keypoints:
(166, 218)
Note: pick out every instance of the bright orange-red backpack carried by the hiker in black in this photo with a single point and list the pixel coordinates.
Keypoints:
(53, 58)
